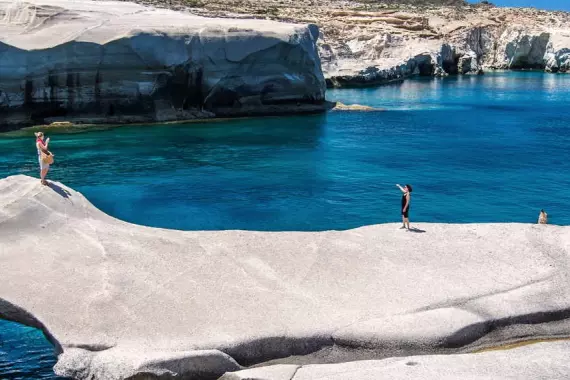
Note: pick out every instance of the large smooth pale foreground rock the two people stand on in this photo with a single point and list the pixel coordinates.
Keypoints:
(120, 300)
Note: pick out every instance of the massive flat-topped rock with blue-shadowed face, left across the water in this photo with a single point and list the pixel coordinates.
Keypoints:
(123, 62)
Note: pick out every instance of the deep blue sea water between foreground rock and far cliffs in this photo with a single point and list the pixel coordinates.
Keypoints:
(494, 148)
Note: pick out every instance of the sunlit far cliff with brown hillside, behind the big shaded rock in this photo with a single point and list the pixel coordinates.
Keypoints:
(368, 43)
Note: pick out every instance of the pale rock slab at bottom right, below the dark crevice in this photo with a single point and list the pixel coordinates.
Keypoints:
(543, 361)
